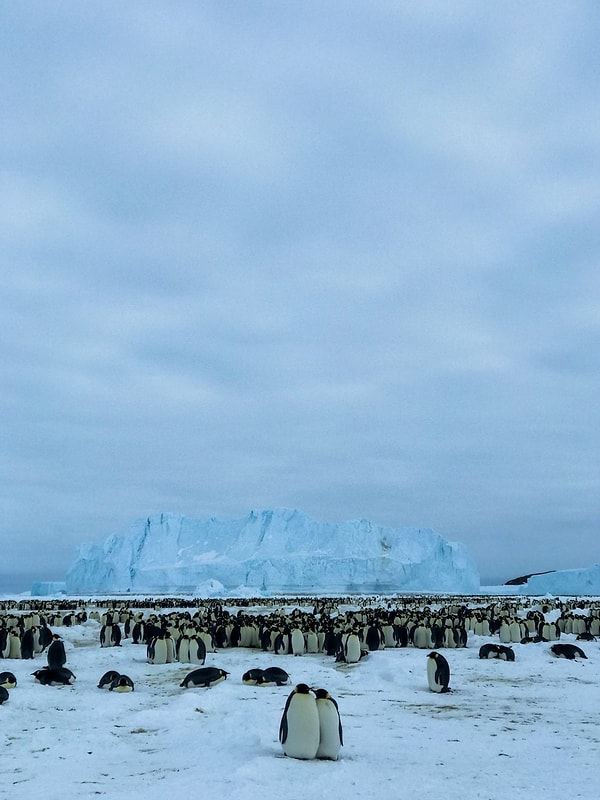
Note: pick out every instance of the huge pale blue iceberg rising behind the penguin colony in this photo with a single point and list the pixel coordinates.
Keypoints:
(278, 551)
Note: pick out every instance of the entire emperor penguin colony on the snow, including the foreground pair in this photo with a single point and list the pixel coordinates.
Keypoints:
(185, 631)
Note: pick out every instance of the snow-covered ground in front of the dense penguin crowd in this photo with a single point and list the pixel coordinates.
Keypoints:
(530, 727)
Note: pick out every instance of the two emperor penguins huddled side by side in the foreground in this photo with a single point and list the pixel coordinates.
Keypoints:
(311, 726)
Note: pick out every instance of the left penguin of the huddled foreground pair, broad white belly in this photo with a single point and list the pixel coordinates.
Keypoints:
(299, 731)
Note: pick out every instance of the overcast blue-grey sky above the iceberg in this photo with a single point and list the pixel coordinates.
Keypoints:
(335, 256)
